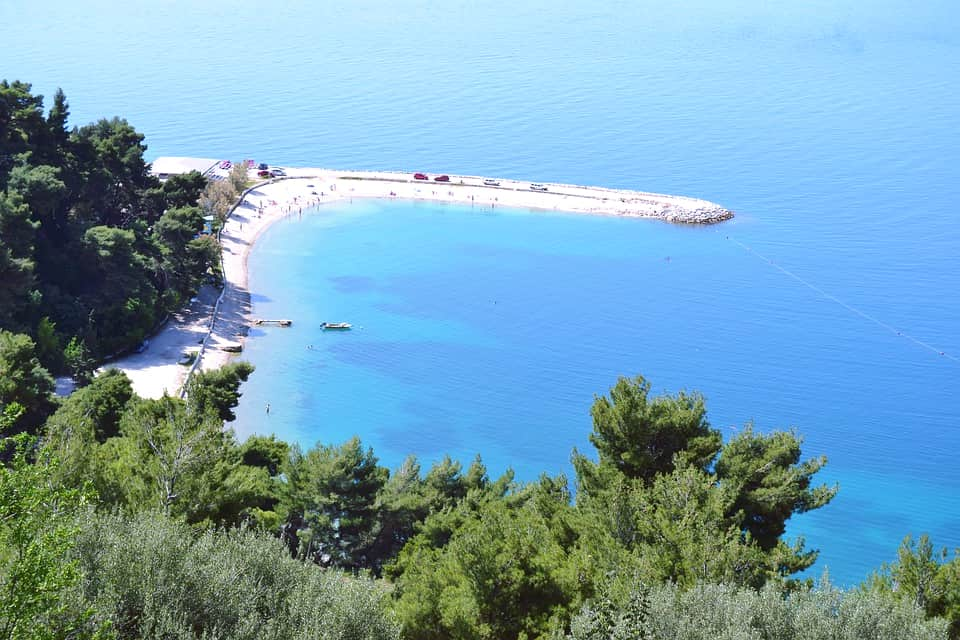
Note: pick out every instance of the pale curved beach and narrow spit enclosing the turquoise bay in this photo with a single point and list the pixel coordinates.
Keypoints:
(157, 370)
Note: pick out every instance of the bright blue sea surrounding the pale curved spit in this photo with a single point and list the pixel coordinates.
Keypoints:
(830, 304)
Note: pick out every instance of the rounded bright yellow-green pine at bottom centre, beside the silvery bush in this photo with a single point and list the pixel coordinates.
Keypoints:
(508, 570)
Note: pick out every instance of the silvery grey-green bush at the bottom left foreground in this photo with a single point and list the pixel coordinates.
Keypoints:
(150, 577)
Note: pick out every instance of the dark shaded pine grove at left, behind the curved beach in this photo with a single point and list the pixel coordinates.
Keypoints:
(92, 247)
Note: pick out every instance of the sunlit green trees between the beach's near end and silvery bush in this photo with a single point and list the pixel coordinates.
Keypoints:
(166, 454)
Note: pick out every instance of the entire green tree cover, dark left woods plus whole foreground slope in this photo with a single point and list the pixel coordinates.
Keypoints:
(138, 518)
